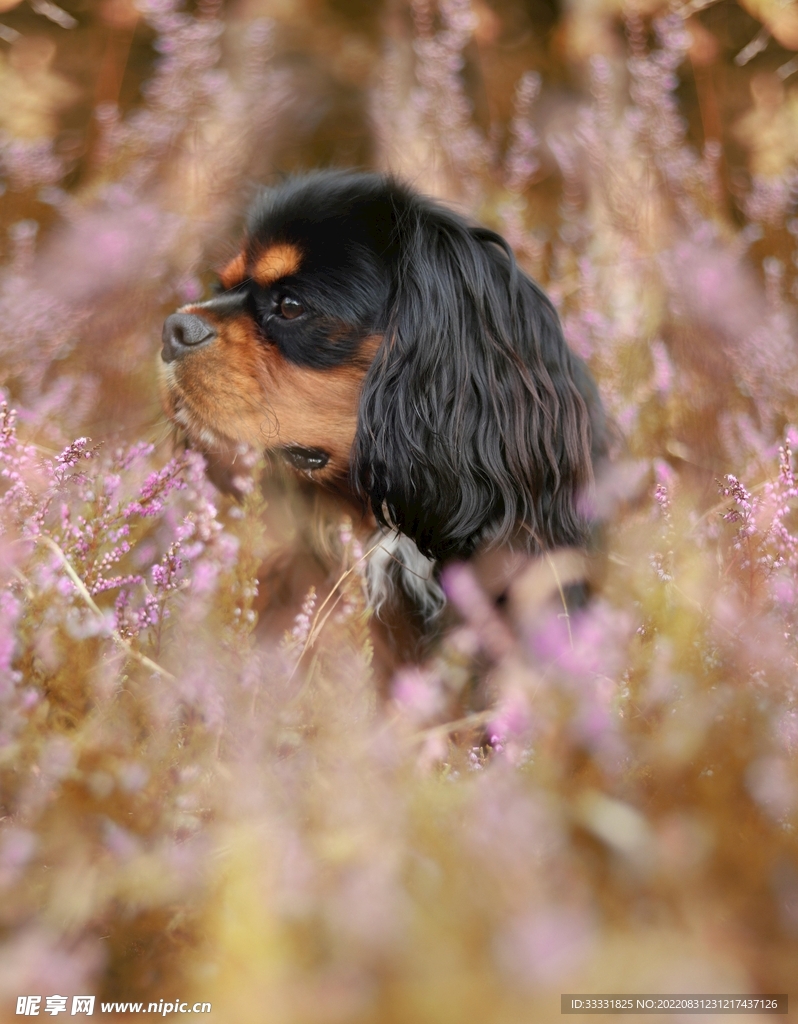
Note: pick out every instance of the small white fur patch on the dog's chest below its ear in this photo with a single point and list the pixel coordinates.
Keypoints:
(397, 562)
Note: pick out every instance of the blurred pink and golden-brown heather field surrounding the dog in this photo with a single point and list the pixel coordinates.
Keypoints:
(211, 791)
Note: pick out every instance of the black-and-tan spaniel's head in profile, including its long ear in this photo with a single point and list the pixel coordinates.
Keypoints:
(387, 348)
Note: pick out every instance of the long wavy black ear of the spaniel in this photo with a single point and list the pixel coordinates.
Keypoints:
(476, 418)
